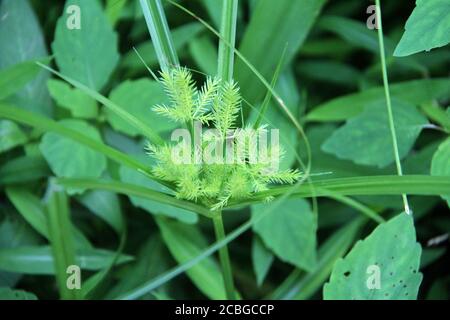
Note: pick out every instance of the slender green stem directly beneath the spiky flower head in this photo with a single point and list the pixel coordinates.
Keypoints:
(224, 256)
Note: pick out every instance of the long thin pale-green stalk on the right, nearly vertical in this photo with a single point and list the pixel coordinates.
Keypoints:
(388, 101)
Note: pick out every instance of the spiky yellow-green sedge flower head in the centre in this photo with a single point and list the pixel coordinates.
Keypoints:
(213, 183)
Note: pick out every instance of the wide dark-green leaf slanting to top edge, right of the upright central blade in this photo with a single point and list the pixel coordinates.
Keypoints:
(274, 26)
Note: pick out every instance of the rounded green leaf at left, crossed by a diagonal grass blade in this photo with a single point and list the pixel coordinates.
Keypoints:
(70, 159)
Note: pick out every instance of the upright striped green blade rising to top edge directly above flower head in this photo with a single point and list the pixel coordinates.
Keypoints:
(227, 40)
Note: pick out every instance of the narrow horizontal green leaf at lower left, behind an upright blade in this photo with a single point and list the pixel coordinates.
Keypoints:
(39, 260)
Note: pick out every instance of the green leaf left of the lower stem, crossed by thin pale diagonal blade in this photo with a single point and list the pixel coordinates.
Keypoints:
(185, 243)
